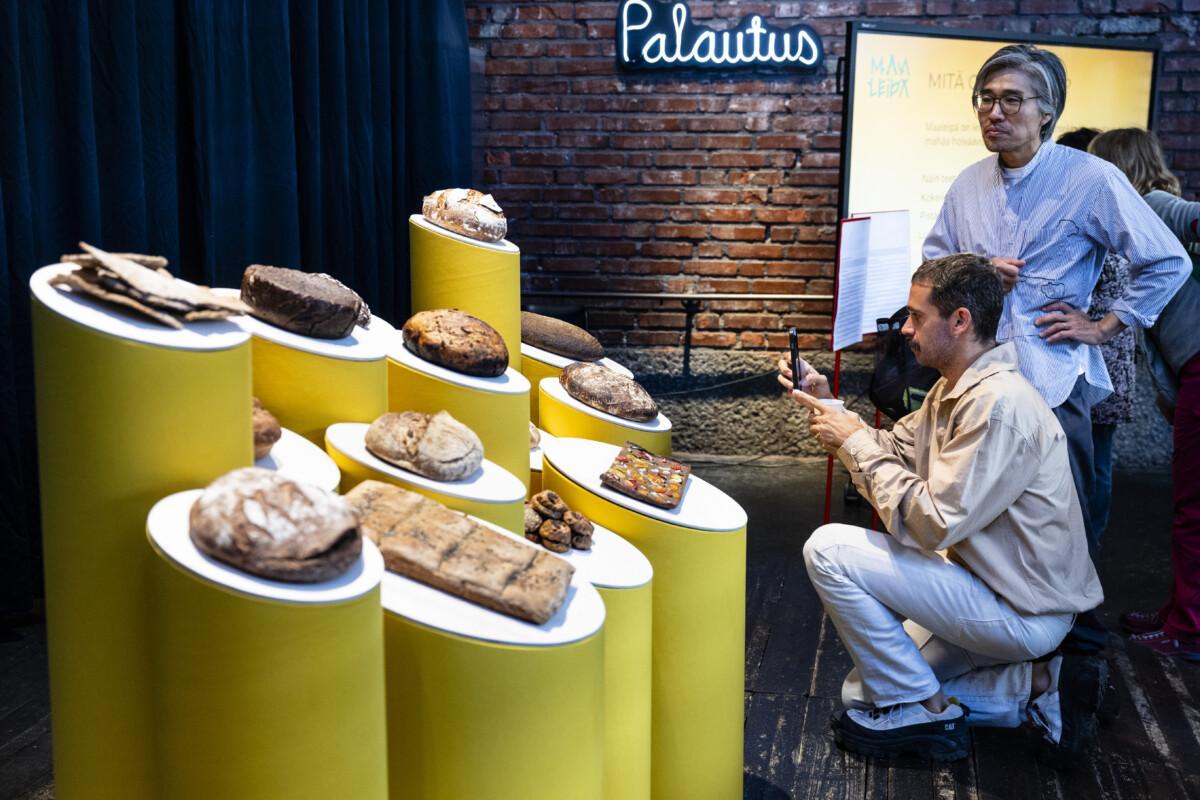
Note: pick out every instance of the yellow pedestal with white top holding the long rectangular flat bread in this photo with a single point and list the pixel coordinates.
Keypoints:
(485, 706)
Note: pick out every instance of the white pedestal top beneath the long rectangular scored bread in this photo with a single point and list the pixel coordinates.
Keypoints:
(581, 615)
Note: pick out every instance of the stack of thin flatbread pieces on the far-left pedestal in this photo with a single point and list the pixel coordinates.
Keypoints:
(143, 285)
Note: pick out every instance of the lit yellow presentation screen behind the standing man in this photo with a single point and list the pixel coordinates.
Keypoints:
(914, 129)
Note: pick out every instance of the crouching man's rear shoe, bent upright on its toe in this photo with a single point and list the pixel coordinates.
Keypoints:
(1066, 713)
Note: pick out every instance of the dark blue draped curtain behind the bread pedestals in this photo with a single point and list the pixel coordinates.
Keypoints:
(218, 134)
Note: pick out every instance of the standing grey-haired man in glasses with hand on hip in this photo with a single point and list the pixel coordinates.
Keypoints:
(1046, 216)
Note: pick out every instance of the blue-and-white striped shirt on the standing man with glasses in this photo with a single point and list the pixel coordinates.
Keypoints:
(1061, 213)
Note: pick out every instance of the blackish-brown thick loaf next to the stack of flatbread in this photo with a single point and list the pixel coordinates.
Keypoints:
(309, 304)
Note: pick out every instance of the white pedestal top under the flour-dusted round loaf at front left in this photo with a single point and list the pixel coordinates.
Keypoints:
(167, 528)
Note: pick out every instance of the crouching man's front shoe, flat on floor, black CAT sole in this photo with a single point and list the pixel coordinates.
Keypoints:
(904, 729)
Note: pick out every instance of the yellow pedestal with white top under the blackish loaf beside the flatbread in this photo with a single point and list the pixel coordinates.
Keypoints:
(309, 384)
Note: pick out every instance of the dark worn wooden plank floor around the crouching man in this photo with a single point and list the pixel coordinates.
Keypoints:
(795, 667)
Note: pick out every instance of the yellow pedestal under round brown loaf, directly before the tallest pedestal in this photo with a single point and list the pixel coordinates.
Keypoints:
(497, 410)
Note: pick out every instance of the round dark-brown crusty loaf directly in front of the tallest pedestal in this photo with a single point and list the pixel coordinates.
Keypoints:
(457, 341)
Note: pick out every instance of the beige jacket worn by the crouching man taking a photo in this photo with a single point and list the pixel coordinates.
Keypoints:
(981, 471)
